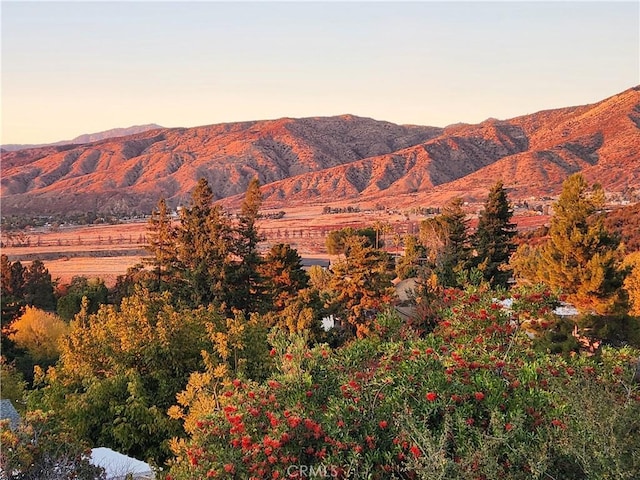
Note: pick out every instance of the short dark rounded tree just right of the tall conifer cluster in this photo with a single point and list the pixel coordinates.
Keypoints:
(283, 274)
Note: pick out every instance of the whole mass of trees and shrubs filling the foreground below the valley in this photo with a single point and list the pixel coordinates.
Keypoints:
(210, 360)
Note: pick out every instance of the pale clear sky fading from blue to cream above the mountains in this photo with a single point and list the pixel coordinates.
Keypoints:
(69, 68)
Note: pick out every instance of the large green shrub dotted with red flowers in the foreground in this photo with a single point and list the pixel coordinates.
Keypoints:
(473, 399)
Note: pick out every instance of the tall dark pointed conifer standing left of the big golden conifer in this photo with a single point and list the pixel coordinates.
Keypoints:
(493, 239)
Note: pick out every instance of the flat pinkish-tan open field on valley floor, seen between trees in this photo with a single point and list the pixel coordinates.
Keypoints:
(107, 251)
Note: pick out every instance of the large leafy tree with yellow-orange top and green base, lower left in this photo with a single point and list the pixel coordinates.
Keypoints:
(120, 370)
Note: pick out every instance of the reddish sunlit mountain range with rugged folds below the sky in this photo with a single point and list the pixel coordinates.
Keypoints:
(333, 159)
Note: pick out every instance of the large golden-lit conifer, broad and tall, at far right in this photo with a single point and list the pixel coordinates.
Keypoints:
(581, 258)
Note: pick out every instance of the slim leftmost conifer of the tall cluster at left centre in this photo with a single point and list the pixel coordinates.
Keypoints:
(162, 245)
